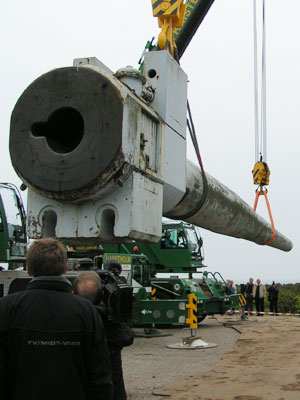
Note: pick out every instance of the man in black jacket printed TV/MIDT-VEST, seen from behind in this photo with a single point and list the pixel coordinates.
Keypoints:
(52, 344)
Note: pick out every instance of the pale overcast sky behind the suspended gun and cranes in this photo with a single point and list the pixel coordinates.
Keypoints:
(37, 36)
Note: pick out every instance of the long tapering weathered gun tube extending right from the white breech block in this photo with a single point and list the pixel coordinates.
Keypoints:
(224, 212)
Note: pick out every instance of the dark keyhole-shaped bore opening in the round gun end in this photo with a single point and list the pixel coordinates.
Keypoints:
(63, 130)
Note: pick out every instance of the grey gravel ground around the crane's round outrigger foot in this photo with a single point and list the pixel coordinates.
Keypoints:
(149, 365)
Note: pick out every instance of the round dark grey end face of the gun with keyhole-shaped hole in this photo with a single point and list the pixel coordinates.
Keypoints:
(66, 132)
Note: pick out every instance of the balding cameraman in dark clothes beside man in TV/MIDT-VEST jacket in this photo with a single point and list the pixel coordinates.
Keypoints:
(118, 334)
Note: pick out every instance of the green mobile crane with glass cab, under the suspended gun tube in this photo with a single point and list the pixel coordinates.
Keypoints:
(165, 274)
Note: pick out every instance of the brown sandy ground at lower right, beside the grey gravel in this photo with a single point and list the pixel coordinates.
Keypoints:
(264, 365)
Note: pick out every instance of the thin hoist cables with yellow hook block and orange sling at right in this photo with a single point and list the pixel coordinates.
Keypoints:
(261, 171)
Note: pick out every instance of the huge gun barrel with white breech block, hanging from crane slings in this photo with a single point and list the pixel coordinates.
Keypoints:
(104, 164)
